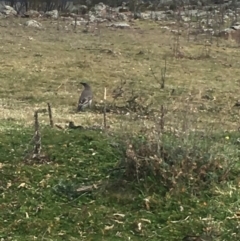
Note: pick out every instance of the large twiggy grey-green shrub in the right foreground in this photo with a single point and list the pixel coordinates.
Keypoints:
(193, 162)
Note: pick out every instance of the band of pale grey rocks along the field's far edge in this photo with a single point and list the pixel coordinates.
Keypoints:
(217, 20)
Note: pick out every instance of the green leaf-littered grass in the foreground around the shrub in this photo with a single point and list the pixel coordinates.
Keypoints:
(40, 201)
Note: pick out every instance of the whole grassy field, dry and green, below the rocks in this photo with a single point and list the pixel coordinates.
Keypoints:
(157, 174)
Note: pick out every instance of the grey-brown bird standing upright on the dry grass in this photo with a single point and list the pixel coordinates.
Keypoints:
(86, 97)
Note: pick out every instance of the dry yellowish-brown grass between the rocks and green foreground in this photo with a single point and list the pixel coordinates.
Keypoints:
(40, 66)
